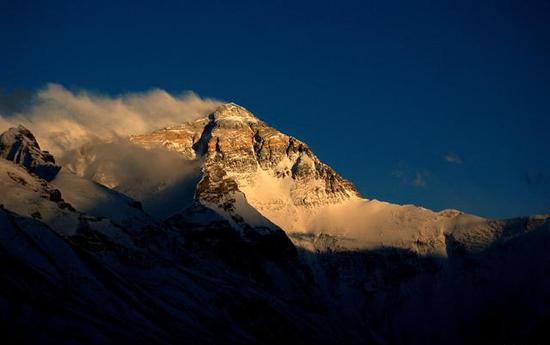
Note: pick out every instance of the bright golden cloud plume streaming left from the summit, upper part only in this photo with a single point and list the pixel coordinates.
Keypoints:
(63, 120)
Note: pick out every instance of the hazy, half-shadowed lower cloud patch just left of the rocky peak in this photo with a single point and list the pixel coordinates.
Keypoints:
(161, 180)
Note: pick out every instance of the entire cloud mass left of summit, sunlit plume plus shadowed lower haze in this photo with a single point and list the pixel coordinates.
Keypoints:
(87, 133)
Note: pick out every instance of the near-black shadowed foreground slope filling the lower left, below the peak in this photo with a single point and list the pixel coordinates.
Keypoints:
(70, 275)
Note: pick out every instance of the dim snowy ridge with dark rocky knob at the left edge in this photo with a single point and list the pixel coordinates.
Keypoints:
(67, 203)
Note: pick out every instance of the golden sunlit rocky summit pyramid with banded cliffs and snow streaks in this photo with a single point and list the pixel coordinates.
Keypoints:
(240, 153)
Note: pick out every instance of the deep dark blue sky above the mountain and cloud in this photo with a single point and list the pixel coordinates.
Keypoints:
(382, 91)
